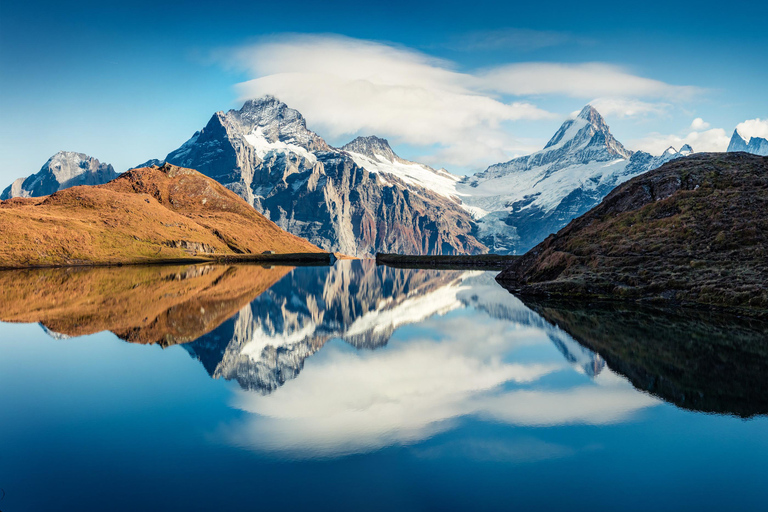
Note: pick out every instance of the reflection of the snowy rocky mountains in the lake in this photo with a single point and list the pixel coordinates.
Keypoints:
(267, 342)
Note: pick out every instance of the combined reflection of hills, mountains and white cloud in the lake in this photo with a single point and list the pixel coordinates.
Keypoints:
(405, 353)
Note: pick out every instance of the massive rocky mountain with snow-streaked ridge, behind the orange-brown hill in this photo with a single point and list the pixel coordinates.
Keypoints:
(265, 153)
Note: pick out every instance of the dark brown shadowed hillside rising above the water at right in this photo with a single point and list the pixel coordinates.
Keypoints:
(694, 230)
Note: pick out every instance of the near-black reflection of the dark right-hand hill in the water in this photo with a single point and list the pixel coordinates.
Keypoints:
(695, 360)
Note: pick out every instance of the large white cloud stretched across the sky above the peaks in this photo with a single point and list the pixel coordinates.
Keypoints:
(347, 87)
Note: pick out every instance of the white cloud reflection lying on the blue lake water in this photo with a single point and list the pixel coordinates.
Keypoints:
(358, 401)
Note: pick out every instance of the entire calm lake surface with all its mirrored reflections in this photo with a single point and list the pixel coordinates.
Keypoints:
(359, 387)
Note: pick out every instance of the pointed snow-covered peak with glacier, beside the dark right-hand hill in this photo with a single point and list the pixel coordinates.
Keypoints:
(519, 203)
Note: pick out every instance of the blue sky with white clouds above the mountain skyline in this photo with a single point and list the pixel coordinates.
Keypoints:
(457, 84)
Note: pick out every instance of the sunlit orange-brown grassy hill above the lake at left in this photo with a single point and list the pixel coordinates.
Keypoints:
(145, 214)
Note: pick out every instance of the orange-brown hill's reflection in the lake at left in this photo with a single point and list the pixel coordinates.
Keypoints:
(154, 304)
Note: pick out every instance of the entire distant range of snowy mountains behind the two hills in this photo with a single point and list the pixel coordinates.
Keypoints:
(363, 198)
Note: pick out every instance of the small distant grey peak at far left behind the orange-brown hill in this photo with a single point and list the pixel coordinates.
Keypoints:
(63, 170)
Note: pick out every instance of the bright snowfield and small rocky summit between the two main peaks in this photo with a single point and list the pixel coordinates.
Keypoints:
(375, 154)
